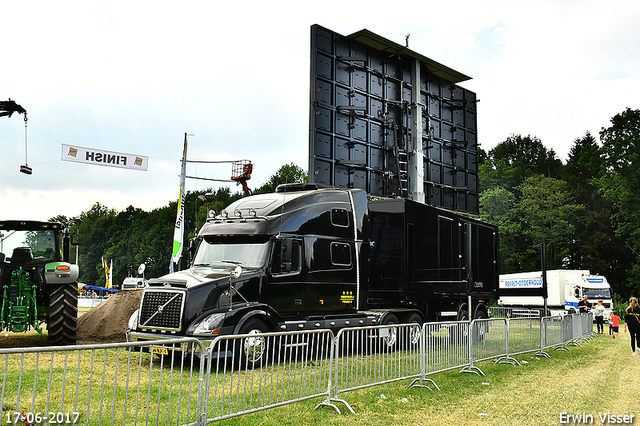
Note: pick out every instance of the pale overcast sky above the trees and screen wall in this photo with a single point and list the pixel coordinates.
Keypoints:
(134, 76)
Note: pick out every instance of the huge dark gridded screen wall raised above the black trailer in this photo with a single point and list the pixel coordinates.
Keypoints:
(361, 120)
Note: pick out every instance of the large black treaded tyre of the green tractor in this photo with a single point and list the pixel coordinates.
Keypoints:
(62, 324)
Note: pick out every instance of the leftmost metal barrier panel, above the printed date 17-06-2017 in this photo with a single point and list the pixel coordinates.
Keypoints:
(122, 383)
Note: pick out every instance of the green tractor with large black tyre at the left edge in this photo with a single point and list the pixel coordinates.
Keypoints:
(38, 285)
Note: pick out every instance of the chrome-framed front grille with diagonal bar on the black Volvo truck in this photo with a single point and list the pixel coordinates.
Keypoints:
(161, 310)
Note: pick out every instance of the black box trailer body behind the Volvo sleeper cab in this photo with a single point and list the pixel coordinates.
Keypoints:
(419, 253)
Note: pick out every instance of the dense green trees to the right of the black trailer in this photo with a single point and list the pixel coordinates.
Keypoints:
(585, 210)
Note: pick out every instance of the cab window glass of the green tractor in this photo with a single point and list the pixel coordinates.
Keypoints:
(27, 246)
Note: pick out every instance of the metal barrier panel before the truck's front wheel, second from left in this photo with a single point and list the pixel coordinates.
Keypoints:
(249, 373)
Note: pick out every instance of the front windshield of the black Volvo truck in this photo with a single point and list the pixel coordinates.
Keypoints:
(249, 255)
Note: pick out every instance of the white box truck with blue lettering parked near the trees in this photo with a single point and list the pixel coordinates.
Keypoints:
(565, 288)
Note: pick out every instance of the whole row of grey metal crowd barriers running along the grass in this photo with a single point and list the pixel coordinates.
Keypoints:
(182, 382)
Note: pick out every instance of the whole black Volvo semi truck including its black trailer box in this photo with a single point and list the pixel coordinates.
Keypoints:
(307, 258)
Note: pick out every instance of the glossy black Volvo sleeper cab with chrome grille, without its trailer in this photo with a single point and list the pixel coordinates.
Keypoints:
(301, 267)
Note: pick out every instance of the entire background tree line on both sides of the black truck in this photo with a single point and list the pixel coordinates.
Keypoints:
(584, 210)
